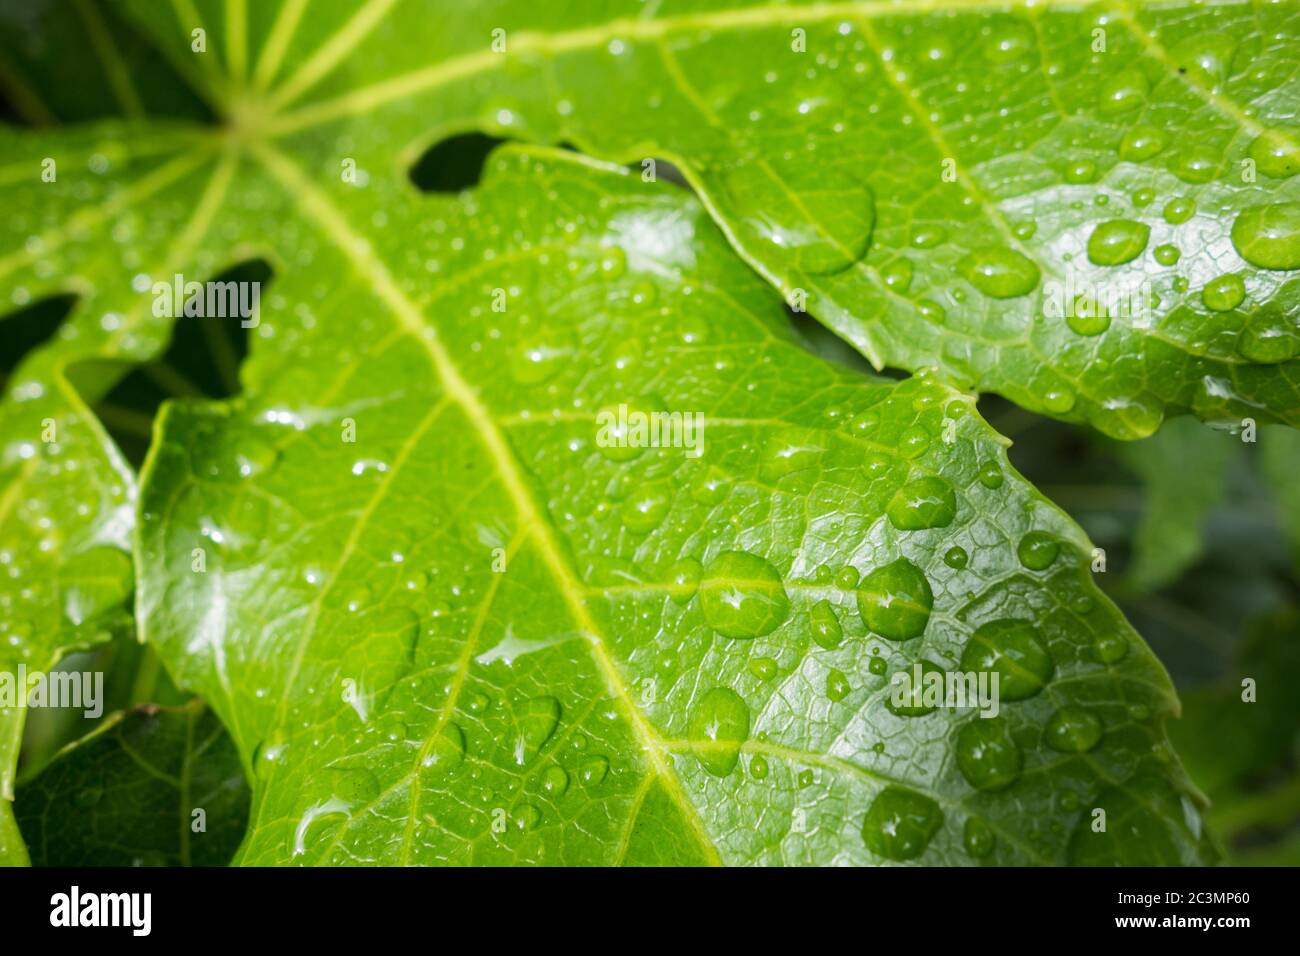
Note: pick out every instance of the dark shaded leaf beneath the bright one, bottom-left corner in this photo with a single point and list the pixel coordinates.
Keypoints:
(153, 788)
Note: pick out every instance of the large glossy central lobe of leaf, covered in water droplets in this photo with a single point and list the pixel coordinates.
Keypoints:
(449, 621)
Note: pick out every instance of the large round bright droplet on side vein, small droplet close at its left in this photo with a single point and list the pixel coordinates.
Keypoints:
(743, 596)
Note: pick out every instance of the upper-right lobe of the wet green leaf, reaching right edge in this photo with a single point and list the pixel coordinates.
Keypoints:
(1087, 207)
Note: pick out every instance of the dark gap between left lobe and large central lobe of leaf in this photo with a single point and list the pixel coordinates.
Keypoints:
(202, 362)
